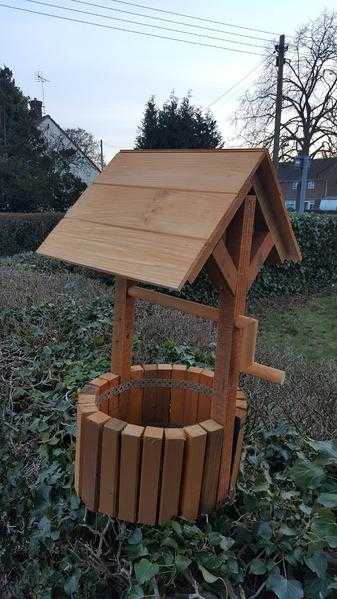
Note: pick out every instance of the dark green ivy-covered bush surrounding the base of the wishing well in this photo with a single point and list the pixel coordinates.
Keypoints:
(277, 539)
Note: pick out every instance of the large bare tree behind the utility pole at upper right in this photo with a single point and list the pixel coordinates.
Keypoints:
(309, 112)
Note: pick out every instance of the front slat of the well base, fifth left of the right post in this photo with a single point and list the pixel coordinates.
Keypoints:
(131, 439)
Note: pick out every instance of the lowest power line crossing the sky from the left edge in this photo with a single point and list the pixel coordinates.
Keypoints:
(101, 26)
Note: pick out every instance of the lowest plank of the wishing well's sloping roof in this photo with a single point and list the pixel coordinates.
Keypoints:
(139, 255)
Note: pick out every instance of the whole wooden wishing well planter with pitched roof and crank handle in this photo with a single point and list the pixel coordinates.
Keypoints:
(158, 440)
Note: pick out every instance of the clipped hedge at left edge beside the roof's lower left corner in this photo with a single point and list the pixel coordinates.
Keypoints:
(23, 232)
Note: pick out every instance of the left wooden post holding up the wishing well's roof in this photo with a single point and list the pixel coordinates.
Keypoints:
(122, 335)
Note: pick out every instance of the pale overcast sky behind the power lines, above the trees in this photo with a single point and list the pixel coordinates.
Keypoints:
(100, 79)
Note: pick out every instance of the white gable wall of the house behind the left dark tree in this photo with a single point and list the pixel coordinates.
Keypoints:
(81, 167)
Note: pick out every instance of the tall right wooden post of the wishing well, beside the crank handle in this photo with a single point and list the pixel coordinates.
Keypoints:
(227, 373)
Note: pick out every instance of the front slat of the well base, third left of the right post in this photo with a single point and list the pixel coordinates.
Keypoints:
(174, 440)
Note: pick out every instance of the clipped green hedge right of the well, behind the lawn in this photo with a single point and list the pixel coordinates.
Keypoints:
(317, 237)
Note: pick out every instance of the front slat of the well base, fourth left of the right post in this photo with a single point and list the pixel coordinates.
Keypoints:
(150, 471)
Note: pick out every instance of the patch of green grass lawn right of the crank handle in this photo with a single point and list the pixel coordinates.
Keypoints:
(309, 330)
